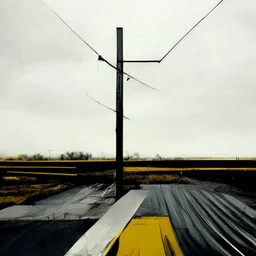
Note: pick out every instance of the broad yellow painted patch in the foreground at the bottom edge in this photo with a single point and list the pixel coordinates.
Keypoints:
(148, 236)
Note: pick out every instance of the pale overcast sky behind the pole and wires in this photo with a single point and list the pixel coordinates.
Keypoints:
(206, 101)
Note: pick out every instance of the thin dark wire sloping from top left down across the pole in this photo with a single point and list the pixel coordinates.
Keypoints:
(99, 56)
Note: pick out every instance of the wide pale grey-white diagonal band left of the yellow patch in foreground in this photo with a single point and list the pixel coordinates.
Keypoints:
(97, 238)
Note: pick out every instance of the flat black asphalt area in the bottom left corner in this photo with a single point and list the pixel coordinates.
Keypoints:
(40, 238)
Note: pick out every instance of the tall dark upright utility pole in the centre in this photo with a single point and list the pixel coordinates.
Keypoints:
(119, 115)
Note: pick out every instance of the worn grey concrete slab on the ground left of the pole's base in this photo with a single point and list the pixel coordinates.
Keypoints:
(78, 203)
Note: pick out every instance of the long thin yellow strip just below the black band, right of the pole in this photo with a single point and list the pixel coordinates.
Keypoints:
(148, 169)
